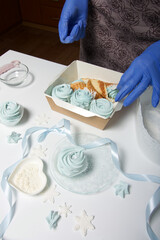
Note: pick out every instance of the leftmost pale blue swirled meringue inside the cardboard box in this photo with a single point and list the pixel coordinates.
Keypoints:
(62, 91)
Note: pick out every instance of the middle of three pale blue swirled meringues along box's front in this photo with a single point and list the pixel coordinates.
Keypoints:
(81, 98)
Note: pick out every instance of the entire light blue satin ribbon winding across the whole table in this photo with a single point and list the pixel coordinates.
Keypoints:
(63, 127)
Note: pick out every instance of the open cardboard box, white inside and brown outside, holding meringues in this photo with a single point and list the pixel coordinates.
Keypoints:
(77, 70)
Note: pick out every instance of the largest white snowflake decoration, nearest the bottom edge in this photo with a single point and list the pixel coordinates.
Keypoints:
(84, 223)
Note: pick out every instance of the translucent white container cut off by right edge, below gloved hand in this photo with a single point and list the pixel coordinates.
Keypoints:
(148, 127)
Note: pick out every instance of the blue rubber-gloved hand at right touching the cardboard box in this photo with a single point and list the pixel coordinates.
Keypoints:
(144, 71)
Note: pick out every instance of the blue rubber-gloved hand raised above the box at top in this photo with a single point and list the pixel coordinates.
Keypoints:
(73, 20)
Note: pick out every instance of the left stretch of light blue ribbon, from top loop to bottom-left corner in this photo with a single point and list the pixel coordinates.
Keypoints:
(63, 127)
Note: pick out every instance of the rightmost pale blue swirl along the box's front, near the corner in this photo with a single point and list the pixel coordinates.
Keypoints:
(102, 107)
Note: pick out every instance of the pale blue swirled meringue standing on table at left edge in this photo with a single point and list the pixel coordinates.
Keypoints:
(10, 113)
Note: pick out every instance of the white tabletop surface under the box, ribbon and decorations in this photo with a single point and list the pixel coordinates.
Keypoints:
(115, 218)
